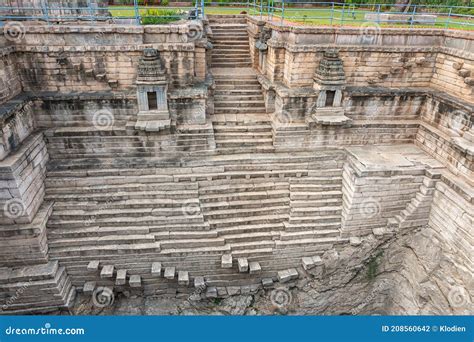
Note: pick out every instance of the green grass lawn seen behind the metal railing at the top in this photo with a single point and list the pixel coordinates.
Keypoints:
(310, 16)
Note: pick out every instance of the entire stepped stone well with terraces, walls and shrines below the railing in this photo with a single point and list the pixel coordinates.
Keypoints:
(233, 165)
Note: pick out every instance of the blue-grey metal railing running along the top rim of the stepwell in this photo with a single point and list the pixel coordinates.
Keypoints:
(308, 12)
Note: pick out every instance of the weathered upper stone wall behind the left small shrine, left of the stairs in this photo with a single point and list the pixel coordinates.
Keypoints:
(104, 58)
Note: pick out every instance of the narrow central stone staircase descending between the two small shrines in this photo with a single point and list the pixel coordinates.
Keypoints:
(241, 124)
